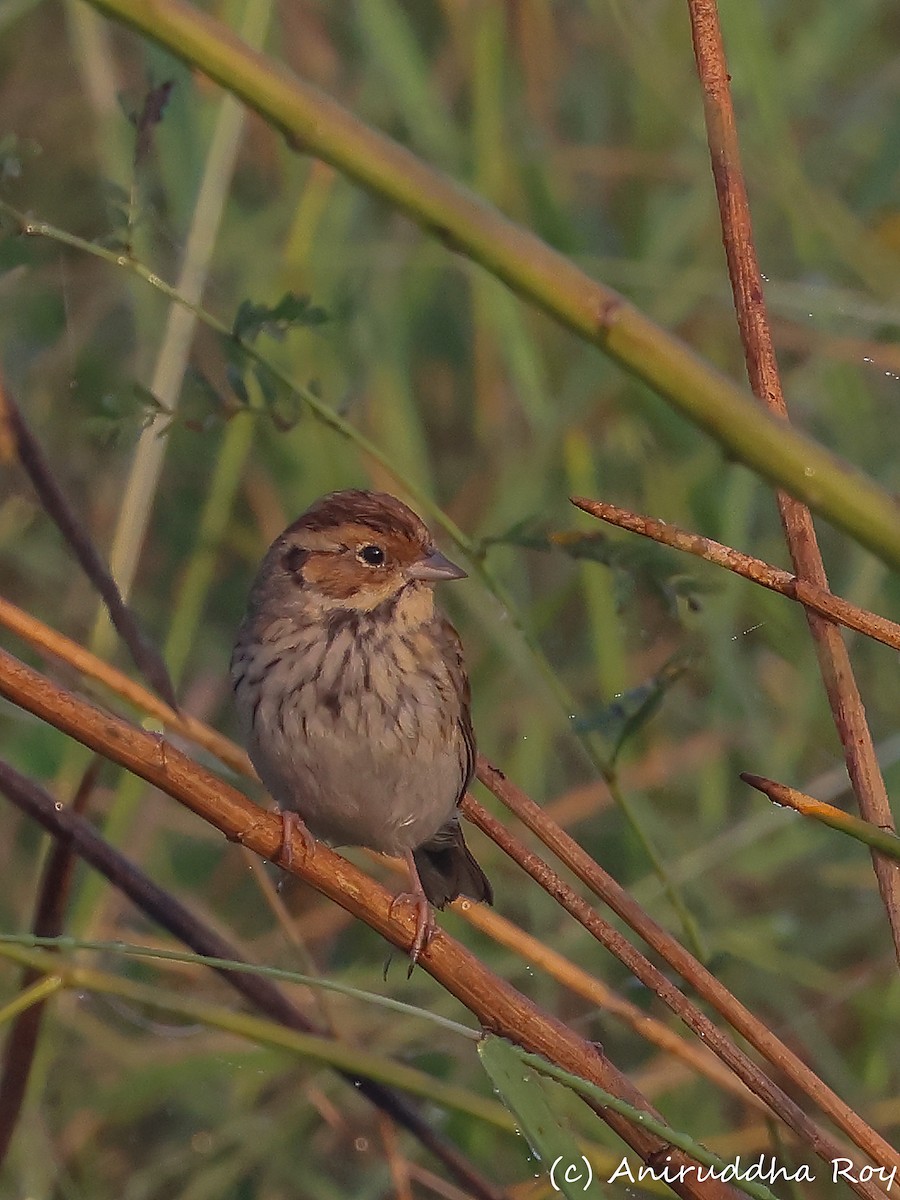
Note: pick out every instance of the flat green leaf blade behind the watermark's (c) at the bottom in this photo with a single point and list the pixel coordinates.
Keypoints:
(533, 1100)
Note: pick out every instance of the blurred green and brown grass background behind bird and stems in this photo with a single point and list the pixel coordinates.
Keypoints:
(583, 121)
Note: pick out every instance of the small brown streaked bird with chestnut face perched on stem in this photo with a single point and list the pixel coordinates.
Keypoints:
(353, 691)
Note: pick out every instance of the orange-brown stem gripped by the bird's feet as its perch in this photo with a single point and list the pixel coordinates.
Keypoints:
(495, 1003)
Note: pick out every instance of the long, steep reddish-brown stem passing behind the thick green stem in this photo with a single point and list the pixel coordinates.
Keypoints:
(747, 286)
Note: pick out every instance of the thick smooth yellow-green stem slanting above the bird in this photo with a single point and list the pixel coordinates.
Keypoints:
(316, 124)
